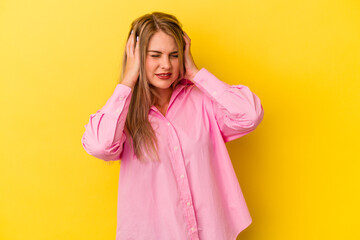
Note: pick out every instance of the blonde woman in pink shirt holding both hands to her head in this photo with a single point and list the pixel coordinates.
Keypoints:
(168, 122)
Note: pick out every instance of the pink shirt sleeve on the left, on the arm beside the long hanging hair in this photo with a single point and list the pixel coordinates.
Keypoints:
(104, 135)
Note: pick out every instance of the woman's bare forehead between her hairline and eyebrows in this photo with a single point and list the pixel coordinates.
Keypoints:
(162, 42)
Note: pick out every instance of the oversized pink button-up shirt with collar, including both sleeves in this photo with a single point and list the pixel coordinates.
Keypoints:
(193, 193)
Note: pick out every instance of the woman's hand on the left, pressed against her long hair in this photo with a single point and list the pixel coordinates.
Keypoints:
(132, 68)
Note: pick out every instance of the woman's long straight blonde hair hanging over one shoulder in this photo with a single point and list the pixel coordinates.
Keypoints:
(143, 136)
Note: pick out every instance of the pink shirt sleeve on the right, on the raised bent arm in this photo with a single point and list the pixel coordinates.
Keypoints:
(238, 111)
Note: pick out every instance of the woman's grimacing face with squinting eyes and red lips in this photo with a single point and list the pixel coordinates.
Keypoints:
(162, 58)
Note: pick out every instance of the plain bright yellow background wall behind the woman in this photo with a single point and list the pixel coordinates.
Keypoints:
(299, 170)
